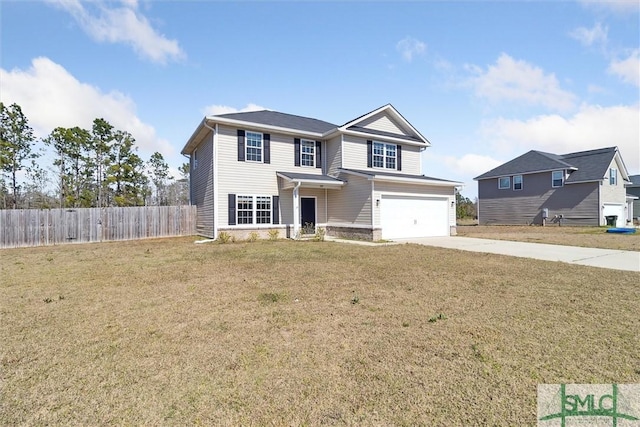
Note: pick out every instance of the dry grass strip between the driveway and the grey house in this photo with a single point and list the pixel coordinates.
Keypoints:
(591, 237)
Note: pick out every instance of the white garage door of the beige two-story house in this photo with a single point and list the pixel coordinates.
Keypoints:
(402, 217)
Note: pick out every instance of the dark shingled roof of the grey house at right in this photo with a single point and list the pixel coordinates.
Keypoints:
(584, 166)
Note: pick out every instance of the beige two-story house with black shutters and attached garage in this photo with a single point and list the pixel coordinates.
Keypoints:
(264, 170)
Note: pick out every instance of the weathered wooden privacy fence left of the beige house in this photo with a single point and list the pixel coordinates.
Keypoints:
(35, 227)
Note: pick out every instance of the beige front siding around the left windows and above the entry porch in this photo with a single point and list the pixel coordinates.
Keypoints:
(252, 178)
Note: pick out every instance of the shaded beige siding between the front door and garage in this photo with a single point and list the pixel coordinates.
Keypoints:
(352, 204)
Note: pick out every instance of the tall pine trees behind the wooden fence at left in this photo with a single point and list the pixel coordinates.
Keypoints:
(97, 167)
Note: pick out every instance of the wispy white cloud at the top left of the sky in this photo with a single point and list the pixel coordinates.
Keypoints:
(122, 25)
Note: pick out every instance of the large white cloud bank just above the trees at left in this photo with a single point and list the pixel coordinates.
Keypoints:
(51, 97)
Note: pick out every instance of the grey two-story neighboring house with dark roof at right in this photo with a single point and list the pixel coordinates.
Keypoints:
(582, 188)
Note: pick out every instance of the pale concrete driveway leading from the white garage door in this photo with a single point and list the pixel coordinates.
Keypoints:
(604, 258)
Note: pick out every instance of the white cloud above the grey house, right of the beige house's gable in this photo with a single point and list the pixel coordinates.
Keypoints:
(518, 81)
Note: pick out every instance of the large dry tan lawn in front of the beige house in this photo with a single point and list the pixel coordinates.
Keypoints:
(166, 332)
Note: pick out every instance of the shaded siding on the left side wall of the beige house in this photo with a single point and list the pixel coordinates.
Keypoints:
(202, 186)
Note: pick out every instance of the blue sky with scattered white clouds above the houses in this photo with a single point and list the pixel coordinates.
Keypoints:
(483, 81)
